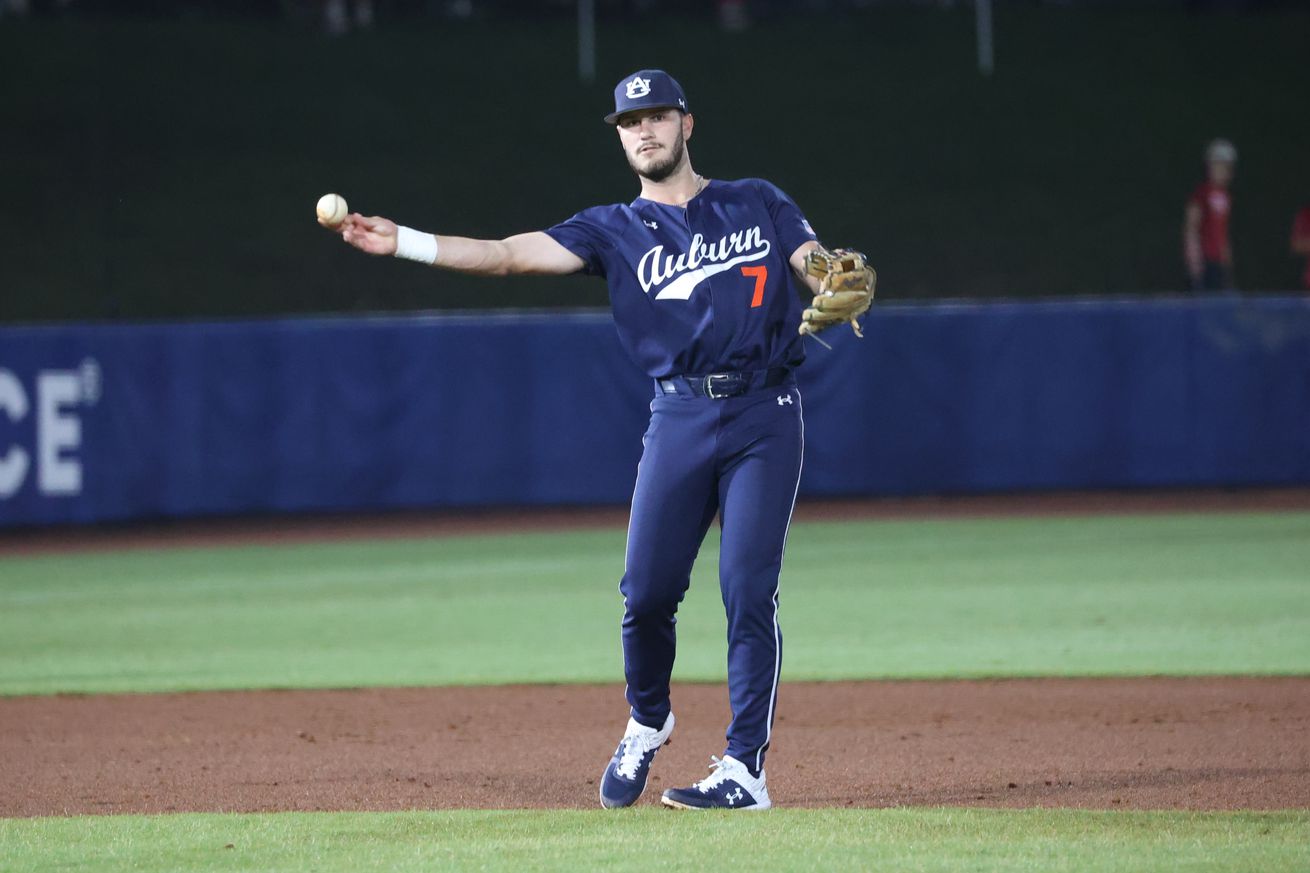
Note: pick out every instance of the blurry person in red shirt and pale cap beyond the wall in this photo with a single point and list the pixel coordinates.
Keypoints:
(1207, 251)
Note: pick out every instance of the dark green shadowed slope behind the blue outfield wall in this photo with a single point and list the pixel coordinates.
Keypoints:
(157, 168)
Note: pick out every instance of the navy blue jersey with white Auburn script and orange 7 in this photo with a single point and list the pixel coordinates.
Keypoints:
(704, 289)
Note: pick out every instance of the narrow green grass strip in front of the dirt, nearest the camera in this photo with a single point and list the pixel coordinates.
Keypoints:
(903, 841)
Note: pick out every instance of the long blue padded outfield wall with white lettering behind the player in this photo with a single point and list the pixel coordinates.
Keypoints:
(107, 423)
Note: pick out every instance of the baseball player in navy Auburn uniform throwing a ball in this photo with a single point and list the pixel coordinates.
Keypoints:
(700, 281)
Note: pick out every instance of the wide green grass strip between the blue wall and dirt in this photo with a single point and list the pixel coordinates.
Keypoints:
(1110, 596)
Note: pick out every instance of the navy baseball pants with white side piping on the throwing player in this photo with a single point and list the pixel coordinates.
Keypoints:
(739, 458)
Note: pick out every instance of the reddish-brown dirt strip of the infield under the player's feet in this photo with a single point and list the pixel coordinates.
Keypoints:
(1114, 744)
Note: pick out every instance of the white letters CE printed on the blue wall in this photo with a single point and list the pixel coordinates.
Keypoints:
(58, 428)
